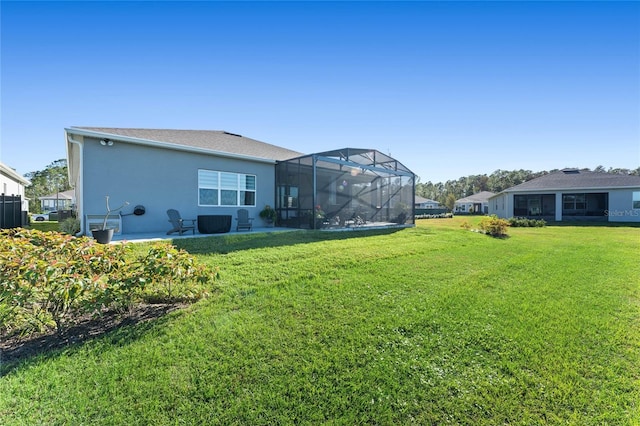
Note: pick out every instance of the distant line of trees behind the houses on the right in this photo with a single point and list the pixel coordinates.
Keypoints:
(446, 193)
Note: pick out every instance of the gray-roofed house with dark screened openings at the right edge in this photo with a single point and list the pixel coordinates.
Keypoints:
(572, 194)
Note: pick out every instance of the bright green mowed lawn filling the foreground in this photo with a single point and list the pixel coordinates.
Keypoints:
(429, 325)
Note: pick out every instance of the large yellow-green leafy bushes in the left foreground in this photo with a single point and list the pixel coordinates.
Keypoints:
(49, 279)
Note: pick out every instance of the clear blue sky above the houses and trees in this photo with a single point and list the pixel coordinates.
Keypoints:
(447, 88)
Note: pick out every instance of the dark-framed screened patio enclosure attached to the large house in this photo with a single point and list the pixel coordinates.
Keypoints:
(344, 188)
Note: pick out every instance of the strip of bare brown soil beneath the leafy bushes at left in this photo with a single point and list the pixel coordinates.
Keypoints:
(16, 348)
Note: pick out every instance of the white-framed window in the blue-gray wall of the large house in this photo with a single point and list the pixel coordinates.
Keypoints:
(226, 189)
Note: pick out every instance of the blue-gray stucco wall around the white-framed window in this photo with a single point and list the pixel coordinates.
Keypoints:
(159, 179)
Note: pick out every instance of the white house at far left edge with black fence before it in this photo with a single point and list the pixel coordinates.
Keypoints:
(13, 185)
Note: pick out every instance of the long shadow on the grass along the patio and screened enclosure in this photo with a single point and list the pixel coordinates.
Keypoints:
(236, 242)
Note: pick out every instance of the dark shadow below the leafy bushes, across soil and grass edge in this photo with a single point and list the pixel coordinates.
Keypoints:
(118, 329)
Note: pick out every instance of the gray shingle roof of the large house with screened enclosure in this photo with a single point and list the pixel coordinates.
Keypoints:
(211, 140)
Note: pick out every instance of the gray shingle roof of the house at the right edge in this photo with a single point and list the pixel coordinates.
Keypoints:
(569, 179)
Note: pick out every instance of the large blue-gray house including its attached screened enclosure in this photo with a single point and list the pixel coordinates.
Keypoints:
(208, 174)
